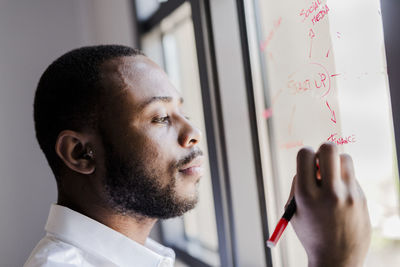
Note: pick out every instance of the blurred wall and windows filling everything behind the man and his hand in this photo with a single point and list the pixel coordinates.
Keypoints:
(251, 73)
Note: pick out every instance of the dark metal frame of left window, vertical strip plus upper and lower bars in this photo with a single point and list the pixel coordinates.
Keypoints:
(214, 129)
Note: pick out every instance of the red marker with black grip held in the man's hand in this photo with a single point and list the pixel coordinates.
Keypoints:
(289, 212)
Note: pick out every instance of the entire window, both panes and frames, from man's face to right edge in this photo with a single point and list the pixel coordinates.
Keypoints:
(262, 78)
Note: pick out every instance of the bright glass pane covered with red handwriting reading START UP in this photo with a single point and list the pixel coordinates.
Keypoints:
(321, 71)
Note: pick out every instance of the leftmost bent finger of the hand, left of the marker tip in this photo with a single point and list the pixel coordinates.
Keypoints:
(306, 172)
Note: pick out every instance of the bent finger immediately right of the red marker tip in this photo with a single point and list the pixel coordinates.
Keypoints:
(329, 163)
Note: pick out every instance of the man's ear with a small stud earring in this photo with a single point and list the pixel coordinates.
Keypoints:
(75, 150)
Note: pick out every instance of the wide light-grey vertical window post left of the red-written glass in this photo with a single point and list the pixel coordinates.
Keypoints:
(237, 106)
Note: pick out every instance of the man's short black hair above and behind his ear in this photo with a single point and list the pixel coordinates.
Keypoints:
(69, 94)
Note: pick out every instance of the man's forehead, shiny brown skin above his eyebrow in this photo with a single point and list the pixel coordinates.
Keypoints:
(137, 79)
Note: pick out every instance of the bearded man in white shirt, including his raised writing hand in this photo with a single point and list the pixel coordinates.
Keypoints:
(125, 155)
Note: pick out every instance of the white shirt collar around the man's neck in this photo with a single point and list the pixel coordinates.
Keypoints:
(90, 235)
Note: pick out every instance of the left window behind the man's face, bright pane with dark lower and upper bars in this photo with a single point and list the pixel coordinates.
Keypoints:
(171, 43)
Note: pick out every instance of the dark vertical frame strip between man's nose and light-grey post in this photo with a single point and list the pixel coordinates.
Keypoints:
(214, 130)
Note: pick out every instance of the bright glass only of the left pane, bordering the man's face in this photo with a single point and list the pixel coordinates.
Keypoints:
(175, 37)
